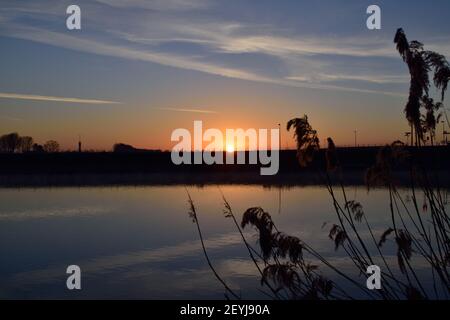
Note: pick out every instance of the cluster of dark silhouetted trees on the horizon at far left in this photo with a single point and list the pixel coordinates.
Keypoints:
(14, 143)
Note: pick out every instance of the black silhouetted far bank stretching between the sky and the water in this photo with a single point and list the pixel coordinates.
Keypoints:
(105, 168)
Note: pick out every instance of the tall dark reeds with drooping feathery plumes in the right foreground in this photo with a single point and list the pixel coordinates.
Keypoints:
(291, 269)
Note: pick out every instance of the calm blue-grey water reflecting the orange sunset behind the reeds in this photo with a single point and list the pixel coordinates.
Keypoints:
(138, 242)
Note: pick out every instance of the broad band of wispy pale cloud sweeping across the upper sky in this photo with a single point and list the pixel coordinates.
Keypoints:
(183, 34)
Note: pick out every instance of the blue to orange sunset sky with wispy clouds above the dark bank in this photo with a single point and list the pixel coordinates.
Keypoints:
(139, 69)
